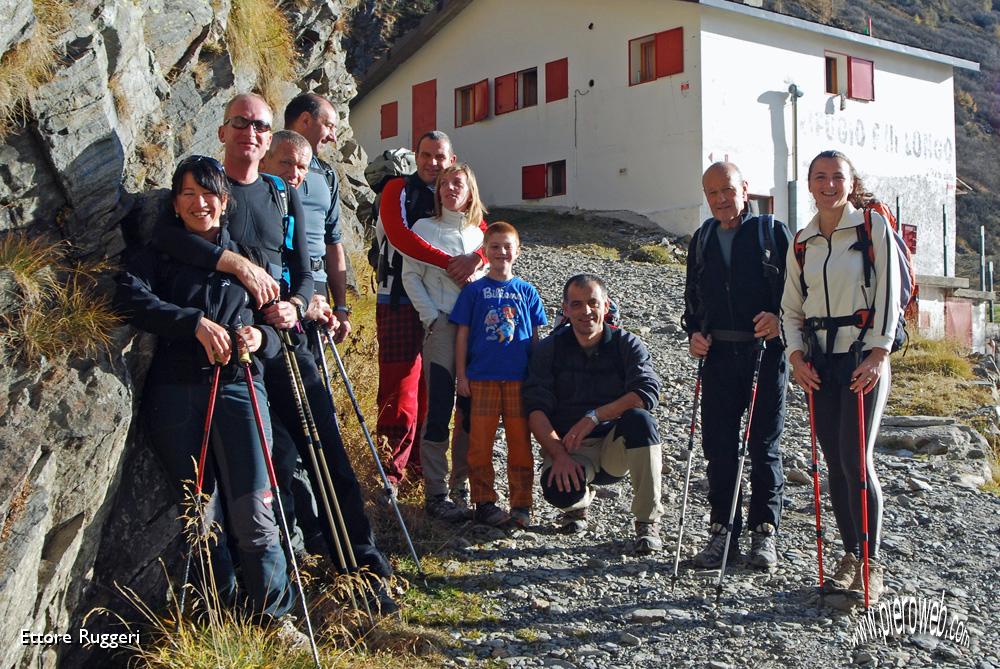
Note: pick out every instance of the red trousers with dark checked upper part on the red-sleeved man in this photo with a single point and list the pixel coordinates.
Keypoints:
(402, 394)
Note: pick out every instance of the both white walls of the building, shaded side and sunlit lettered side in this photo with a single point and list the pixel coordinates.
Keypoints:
(643, 148)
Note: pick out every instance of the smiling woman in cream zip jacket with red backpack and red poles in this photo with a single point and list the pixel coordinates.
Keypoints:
(839, 328)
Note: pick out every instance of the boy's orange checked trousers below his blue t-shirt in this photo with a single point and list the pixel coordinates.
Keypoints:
(490, 400)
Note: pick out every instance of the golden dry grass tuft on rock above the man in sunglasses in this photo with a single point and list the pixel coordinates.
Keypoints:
(260, 41)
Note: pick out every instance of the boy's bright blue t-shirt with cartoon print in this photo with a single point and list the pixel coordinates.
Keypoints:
(501, 317)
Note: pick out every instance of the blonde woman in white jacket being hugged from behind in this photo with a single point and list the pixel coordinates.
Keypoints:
(454, 229)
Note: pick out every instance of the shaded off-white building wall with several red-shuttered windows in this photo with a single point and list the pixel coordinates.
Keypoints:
(629, 143)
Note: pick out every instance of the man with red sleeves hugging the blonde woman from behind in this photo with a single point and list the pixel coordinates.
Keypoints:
(402, 394)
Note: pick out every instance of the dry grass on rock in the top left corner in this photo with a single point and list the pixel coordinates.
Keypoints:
(30, 63)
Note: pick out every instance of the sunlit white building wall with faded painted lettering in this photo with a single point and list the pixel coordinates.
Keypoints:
(903, 142)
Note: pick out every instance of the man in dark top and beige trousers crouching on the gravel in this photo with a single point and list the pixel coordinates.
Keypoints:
(588, 395)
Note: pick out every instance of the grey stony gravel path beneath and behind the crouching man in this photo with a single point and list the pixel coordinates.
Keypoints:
(587, 601)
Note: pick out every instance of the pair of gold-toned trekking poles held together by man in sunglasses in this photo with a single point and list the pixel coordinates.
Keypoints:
(328, 495)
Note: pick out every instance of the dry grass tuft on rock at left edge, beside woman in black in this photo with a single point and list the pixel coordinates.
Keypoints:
(58, 311)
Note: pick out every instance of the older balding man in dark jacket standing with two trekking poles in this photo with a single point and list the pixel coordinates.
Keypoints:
(735, 275)
